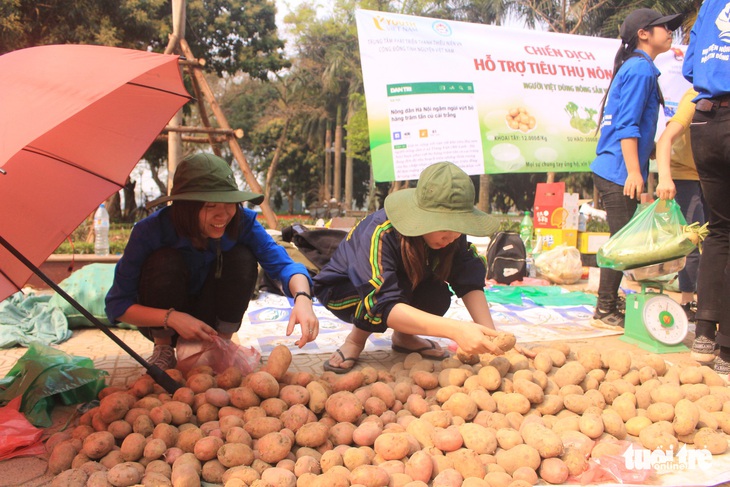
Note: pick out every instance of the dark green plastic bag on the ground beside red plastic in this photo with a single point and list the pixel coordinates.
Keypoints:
(44, 376)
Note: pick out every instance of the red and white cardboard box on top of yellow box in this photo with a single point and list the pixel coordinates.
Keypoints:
(554, 208)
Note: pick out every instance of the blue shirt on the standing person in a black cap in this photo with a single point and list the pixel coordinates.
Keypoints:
(632, 111)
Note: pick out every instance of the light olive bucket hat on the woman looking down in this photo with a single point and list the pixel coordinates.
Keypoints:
(442, 200)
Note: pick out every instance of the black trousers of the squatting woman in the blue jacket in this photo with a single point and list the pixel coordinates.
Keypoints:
(220, 303)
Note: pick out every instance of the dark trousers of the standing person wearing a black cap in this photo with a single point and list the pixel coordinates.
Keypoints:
(619, 210)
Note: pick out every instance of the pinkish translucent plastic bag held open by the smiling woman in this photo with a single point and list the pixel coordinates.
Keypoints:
(219, 354)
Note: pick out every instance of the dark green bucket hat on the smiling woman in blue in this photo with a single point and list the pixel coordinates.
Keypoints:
(206, 177)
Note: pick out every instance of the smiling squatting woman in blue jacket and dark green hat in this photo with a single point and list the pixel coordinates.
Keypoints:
(189, 270)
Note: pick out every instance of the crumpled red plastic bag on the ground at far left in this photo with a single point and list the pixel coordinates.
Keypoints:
(17, 436)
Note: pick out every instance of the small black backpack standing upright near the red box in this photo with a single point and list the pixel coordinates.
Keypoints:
(506, 258)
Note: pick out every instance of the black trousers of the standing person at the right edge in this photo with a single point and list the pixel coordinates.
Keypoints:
(710, 133)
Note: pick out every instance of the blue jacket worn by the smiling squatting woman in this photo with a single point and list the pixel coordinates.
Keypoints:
(157, 231)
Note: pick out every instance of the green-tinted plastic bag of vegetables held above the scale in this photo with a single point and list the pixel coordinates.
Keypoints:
(656, 233)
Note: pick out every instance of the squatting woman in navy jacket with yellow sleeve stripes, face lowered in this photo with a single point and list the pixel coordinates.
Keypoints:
(395, 267)
